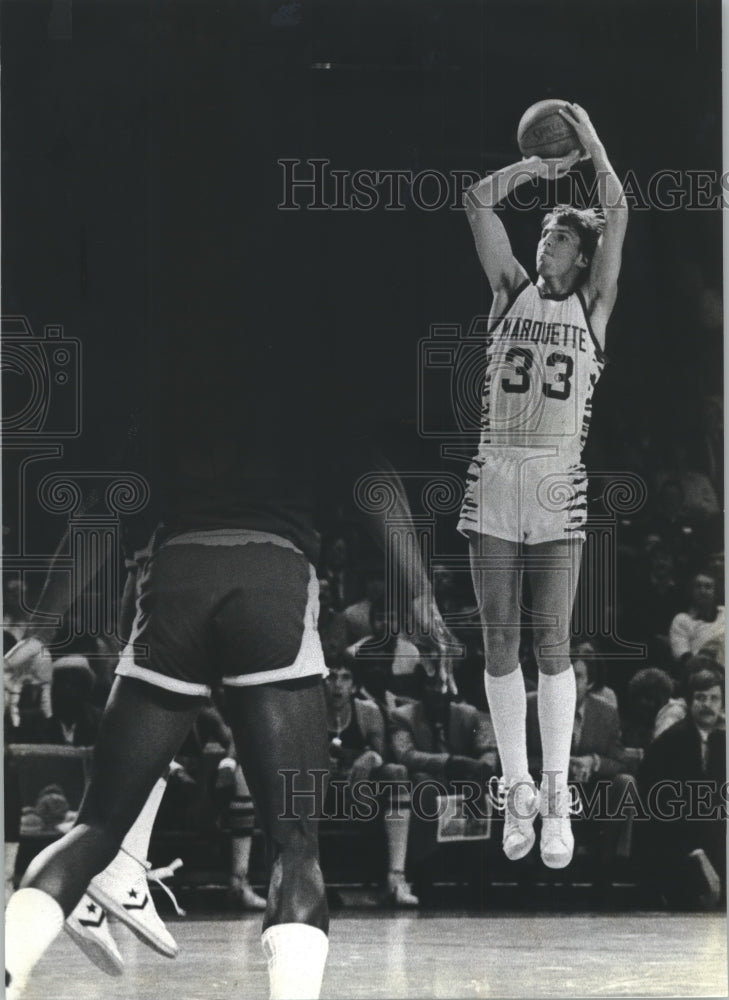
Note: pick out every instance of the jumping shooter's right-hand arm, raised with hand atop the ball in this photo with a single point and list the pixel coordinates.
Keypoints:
(601, 287)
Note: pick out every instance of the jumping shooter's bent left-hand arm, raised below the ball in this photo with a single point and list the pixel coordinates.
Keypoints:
(503, 271)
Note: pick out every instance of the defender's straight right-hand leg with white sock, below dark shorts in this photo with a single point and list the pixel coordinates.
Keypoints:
(280, 733)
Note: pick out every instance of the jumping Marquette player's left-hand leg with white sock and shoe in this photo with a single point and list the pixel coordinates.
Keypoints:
(495, 569)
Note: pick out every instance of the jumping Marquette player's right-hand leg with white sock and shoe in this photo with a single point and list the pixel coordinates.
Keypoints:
(553, 571)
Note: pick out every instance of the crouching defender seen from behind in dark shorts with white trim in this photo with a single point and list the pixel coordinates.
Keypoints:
(228, 593)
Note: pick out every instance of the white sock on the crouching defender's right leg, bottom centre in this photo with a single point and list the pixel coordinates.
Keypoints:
(296, 955)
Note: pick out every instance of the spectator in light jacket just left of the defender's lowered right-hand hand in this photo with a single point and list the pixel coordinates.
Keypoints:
(384, 663)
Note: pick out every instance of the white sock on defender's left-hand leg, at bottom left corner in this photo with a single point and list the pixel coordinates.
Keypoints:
(33, 919)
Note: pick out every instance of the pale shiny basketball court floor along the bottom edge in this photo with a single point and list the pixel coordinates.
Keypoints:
(427, 954)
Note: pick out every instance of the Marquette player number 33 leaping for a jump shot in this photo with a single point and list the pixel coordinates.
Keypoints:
(525, 501)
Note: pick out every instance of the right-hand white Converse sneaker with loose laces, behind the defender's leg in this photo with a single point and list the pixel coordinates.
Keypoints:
(122, 890)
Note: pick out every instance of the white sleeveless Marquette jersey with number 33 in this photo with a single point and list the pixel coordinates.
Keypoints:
(543, 362)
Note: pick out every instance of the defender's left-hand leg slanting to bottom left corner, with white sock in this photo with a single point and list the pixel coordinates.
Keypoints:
(142, 728)
